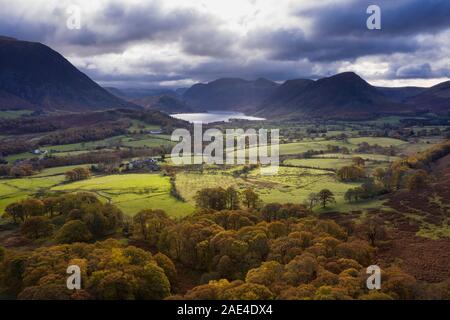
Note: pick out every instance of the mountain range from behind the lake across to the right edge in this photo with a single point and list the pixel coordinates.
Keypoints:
(344, 95)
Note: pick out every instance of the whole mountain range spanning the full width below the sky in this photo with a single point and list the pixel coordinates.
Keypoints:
(33, 76)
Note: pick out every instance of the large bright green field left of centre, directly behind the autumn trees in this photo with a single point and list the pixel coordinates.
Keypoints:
(132, 192)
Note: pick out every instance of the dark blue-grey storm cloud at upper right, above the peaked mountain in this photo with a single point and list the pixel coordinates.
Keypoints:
(339, 30)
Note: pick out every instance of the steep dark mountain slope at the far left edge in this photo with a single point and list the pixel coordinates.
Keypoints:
(33, 76)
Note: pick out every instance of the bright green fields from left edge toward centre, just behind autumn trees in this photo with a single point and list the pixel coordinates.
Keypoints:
(130, 192)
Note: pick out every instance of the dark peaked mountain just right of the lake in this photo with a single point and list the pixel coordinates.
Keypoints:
(344, 95)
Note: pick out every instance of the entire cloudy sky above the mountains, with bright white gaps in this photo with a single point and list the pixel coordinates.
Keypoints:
(176, 43)
